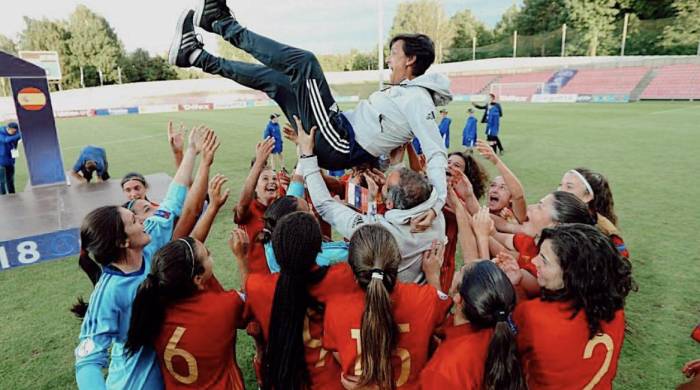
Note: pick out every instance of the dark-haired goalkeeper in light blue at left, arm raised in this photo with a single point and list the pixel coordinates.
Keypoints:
(116, 250)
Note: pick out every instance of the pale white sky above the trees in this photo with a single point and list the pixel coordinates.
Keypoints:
(322, 26)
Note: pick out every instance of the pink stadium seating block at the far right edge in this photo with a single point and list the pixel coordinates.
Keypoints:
(680, 81)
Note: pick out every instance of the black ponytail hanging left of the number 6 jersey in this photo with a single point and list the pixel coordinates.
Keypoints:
(147, 315)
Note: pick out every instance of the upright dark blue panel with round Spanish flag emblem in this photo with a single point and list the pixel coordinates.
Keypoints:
(38, 128)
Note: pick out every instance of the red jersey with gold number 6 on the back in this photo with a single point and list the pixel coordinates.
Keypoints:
(196, 345)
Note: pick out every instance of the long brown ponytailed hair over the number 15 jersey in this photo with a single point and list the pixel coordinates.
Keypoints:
(374, 257)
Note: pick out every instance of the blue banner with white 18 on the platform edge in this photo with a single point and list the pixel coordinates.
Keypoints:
(38, 249)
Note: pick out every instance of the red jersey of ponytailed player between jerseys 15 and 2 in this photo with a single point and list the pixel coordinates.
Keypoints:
(459, 361)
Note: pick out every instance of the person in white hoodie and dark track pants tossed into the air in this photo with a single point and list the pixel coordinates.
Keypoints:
(294, 79)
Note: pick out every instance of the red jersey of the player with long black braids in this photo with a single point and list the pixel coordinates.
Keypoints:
(324, 371)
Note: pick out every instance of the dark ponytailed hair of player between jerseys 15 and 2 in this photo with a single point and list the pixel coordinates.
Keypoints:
(489, 299)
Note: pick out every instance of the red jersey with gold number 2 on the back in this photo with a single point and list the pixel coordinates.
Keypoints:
(556, 352)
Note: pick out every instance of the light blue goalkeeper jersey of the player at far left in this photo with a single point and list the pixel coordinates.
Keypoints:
(106, 323)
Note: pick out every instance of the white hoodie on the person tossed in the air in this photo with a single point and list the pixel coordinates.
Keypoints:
(393, 117)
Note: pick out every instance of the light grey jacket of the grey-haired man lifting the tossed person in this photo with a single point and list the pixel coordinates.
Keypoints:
(345, 220)
